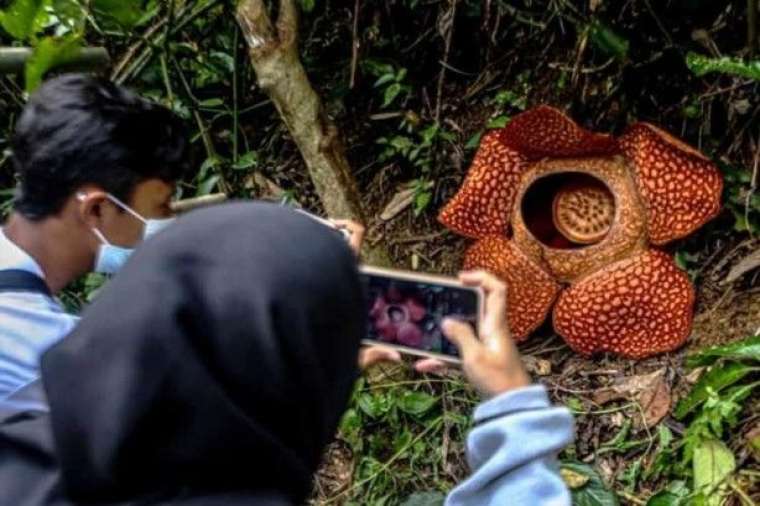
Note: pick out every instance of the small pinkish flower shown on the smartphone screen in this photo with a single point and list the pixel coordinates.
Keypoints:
(397, 319)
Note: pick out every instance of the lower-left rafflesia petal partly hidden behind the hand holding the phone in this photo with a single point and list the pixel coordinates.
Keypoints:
(530, 290)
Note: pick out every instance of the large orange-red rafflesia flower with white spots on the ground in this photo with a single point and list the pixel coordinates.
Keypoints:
(572, 219)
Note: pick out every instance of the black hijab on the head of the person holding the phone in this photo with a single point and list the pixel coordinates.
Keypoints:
(215, 365)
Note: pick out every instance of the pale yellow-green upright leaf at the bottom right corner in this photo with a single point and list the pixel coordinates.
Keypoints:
(713, 464)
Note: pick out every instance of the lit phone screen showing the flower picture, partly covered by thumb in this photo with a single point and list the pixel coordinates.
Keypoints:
(409, 313)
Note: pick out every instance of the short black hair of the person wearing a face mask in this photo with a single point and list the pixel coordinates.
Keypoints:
(78, 129)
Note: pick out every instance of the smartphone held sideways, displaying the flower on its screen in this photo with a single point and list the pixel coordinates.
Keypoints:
(405, 310)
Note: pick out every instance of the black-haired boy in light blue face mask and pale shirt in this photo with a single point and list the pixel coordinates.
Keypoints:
(97, 168)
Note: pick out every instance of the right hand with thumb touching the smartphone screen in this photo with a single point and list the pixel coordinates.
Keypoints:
(492, 362)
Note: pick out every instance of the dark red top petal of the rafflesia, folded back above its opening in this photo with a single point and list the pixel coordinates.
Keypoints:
(548, 132)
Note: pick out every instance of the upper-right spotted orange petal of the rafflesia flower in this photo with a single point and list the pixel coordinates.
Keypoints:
(680, 187)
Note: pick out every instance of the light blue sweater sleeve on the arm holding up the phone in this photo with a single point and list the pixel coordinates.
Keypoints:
(513, 450)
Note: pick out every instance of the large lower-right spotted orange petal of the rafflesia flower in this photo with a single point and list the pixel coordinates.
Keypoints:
(637, 307)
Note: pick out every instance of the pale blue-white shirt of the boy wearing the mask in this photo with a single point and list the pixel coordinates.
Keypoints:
(29, 323)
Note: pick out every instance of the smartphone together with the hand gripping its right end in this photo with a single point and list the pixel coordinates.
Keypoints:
(465, 322)
